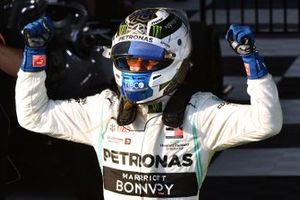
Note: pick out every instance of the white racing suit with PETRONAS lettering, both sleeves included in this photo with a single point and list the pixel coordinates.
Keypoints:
(146, 159)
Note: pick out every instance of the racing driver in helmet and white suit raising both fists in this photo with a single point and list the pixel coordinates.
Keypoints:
(141, 155)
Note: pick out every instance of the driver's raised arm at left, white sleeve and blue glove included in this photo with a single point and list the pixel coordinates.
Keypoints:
(69, 119)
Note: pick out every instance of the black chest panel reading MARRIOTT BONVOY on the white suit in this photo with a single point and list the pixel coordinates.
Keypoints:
(153, 185)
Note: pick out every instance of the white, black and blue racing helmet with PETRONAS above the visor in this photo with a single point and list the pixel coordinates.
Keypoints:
(161, 35)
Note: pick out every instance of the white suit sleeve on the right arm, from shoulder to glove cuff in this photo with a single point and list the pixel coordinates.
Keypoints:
(221, 125)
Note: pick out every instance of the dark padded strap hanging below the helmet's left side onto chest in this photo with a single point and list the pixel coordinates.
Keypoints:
(127, 112)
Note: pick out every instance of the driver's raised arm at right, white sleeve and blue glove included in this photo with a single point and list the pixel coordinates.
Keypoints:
(222, 124)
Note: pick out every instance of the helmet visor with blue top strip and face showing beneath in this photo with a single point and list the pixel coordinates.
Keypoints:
(140, 56)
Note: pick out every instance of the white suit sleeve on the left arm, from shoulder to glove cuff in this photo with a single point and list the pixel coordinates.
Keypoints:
(72, 120)
